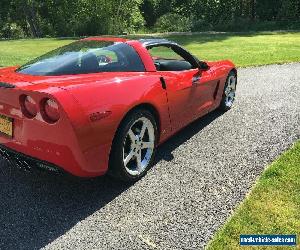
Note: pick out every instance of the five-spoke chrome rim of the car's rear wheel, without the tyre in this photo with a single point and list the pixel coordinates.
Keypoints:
(138, 146)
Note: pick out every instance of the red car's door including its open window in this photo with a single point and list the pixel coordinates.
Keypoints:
(189, 90)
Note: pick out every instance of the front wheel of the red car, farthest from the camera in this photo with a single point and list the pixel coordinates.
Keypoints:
(228, 97)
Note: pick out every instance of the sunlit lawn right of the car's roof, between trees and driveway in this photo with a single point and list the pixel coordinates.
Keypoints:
(247, 49)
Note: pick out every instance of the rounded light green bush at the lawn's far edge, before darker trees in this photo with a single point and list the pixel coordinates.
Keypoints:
(173, 22)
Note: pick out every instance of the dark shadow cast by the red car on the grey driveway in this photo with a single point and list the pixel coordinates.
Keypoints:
(37, 208)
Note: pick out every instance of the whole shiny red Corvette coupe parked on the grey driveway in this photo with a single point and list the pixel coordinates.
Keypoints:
(103, 104)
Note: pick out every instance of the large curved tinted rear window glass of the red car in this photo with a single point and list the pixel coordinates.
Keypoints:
(83, 57)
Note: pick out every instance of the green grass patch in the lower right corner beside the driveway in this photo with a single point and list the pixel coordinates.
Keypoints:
(272, 207)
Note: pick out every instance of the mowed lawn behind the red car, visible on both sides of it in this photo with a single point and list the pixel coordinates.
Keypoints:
(244, 49)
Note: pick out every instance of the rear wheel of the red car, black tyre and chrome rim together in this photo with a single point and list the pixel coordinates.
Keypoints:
(133, 148)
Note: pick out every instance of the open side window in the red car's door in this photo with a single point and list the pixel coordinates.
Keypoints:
(165, 59)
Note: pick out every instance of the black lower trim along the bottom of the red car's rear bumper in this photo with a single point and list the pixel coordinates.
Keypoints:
(26, 162)
